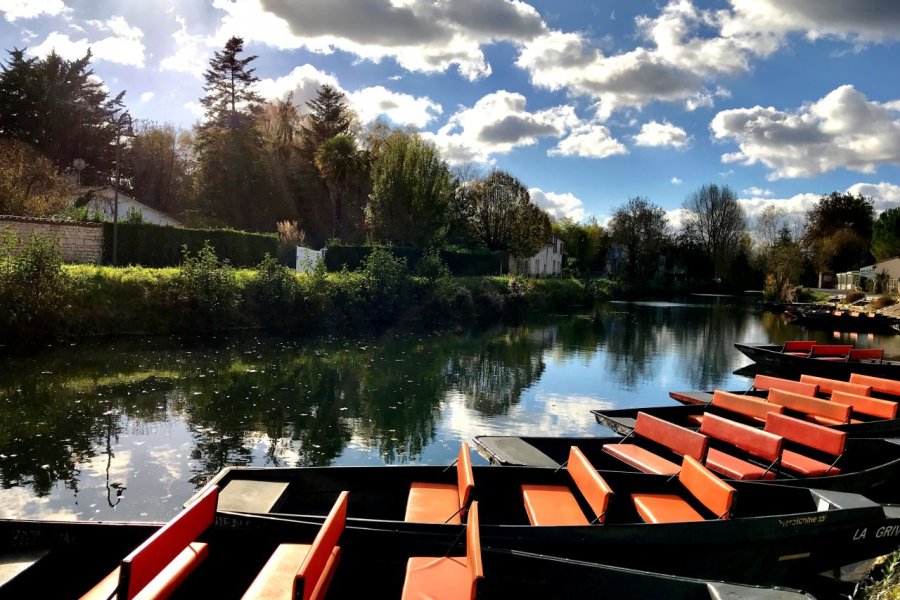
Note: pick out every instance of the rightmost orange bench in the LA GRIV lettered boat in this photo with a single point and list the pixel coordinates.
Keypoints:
(698, 481)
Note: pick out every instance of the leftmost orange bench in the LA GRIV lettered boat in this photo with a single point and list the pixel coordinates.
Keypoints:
(430, 502)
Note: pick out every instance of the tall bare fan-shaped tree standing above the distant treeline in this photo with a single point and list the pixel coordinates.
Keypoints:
(717, 223)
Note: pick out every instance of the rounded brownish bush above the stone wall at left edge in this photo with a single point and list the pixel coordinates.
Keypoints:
(29, 183)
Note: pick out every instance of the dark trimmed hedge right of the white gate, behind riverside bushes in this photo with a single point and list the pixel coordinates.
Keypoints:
(461, 264)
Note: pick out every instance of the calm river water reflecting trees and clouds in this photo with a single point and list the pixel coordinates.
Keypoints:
(129, 429)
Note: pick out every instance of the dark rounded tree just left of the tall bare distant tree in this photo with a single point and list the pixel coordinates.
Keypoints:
(640, 229)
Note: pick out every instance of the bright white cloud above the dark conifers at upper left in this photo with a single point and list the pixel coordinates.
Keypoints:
(124, 46)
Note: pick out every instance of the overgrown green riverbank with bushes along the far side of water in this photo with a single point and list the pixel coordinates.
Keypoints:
(75, 301)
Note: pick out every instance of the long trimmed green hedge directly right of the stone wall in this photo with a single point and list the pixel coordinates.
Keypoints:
(160, 246)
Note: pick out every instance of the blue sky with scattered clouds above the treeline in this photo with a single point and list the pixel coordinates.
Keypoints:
(587, 103)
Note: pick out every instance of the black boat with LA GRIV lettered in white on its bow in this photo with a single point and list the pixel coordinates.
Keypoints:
(776, 535)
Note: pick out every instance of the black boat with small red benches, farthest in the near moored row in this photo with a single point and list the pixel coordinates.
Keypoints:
(837, 361)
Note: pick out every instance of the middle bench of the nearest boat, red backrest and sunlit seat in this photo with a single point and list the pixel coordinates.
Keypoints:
(303, 570)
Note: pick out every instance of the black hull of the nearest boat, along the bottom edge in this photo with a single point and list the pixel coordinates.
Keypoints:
(60, 559)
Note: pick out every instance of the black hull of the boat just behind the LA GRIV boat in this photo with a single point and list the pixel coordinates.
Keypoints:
(868, 466)
